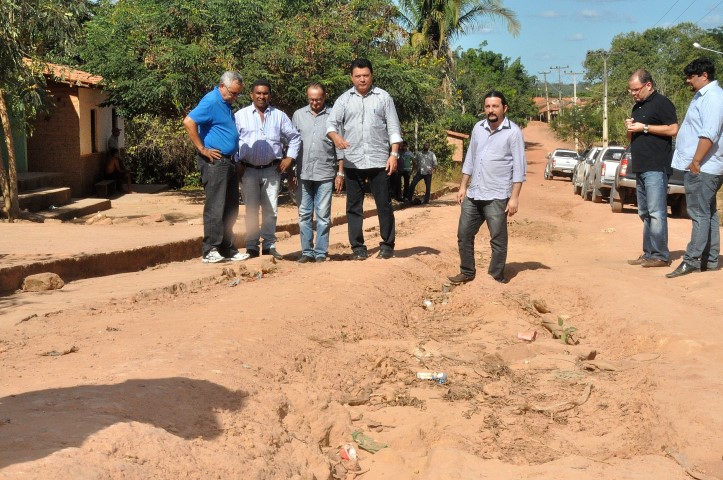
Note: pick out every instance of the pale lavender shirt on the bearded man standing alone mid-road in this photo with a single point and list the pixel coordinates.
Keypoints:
(495, 160)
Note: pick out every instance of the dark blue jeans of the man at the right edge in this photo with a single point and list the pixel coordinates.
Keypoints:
(700, 194)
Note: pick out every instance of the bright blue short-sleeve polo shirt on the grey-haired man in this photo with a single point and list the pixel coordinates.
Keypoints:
(216, 126)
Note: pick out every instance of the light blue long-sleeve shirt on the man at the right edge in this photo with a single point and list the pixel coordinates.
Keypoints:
(703, 119)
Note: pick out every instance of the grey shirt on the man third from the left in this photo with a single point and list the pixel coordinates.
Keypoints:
(318, 157)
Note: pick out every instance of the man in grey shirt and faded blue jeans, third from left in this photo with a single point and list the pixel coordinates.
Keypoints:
(319, 172)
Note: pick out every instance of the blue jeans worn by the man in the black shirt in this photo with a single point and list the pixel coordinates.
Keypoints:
(652, 192)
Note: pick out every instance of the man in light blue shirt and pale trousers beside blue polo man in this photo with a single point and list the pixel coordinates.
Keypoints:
(264, 132)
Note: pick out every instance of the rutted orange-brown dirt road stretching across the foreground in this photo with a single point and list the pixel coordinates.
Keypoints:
(268, 376)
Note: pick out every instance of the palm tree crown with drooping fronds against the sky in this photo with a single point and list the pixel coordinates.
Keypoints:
(434, 24)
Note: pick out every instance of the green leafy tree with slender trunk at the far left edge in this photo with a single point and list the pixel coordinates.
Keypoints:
(29, 30)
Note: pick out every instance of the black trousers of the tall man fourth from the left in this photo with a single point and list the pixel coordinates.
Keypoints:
(379, 185)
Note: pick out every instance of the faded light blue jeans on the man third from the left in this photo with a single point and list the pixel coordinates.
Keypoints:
(315, 197)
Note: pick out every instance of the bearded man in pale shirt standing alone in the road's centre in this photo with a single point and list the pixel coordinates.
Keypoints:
(494, 168)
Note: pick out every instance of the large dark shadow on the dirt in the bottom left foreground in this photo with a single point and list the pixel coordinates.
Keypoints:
(36, 424)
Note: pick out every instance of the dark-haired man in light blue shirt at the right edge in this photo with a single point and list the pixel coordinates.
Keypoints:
(699, 151)
